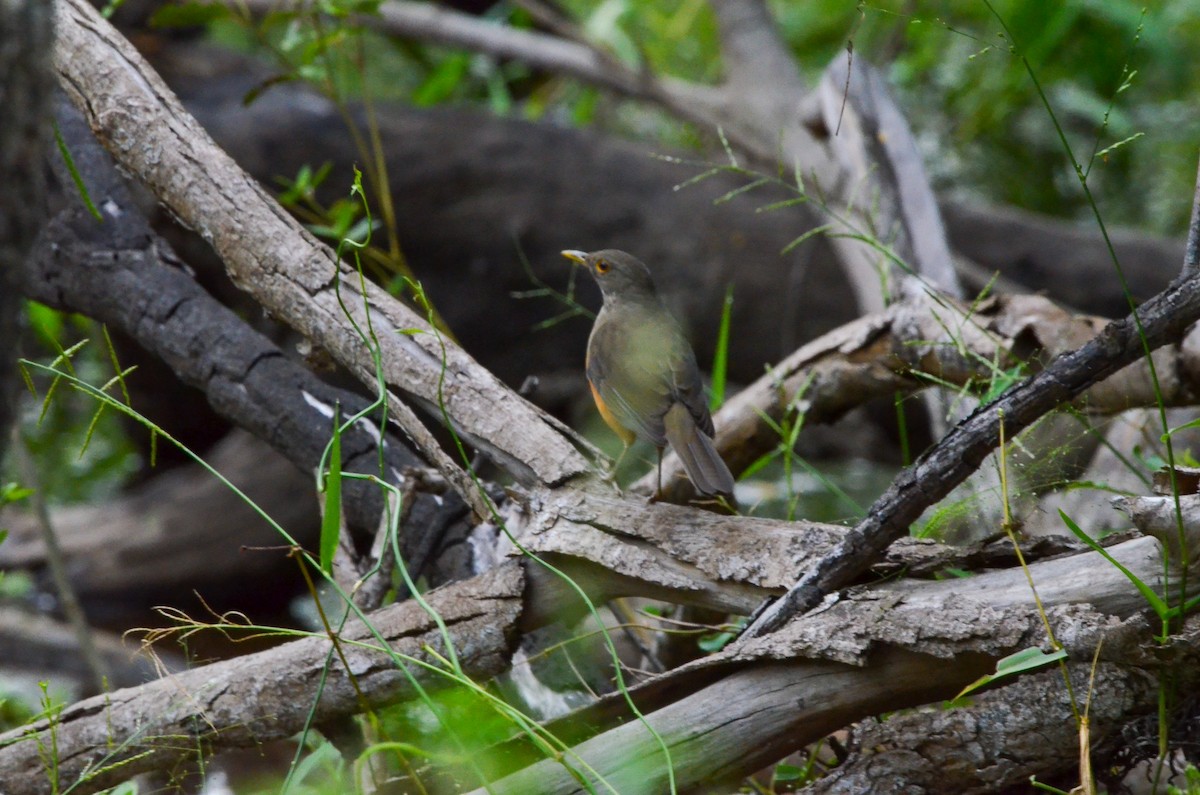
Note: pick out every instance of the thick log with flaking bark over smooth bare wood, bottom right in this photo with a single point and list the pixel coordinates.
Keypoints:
(914, 644)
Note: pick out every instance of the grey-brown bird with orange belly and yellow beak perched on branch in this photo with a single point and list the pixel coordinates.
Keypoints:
(644, 373)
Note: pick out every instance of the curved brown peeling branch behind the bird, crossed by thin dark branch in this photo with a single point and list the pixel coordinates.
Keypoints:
(922, 342)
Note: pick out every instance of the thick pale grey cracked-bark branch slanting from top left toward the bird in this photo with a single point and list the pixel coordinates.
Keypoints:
(296, 278)
